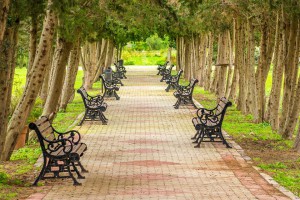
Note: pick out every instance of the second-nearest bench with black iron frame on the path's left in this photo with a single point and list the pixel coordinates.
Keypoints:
(94, 107)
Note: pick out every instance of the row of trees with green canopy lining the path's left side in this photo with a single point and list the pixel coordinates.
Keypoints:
(62, 33)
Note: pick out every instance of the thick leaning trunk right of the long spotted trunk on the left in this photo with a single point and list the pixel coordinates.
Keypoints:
(60, 58)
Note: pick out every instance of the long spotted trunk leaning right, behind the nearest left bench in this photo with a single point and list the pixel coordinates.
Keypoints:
(31, 90)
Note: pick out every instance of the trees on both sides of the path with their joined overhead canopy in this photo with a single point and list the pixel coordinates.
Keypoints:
(64, 32)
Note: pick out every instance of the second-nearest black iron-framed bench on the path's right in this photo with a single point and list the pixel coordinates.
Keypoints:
(185, 94)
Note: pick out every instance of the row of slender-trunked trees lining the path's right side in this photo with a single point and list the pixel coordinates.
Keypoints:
(238, 28)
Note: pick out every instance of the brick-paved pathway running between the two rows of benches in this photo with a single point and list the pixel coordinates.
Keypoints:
(145, 152)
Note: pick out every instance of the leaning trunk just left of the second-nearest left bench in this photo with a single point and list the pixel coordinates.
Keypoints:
(68, 91)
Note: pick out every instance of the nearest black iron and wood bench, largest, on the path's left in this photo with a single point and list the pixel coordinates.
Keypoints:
(61, 151)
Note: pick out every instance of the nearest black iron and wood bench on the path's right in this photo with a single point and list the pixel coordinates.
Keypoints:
(208, 123)
